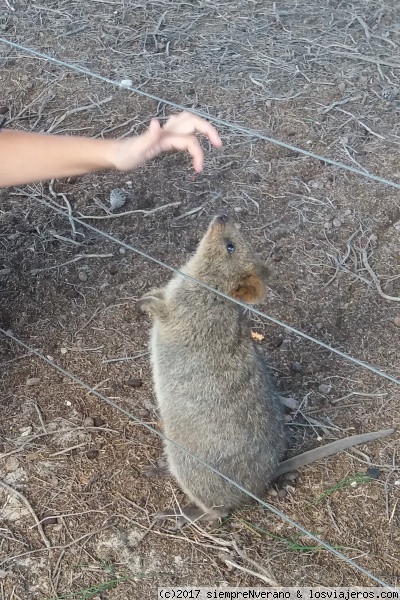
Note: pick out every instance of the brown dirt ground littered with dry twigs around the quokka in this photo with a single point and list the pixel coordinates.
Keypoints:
(325, 78)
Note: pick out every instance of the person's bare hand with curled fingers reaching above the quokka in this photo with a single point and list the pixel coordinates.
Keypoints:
(178, 133)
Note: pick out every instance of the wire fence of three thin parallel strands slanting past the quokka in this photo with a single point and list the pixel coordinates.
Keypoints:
(251, 133)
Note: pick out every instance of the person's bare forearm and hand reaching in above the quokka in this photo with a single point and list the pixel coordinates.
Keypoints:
(31, 157)
